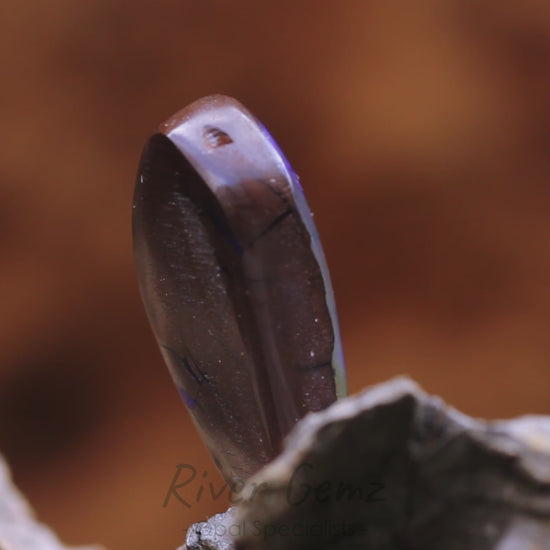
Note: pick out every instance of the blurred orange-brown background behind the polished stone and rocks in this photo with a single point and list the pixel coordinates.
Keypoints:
(421, 132)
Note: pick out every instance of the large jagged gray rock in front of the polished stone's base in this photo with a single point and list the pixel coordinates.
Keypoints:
(392, 469)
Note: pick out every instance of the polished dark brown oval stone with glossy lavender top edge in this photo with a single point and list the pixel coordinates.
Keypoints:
(234, 282)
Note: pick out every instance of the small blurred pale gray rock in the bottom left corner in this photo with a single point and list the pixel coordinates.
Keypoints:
(19, 529)
